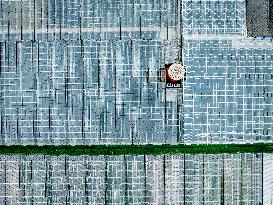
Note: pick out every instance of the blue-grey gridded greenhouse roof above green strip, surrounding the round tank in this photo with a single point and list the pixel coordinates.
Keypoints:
(86, 72)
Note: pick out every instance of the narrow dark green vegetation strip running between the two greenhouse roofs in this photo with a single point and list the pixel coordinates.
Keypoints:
(135, 149)
